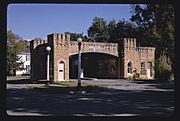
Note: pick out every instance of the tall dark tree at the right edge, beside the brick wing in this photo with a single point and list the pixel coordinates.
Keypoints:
(157, 20)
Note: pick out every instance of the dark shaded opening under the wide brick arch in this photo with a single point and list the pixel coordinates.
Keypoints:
(94, 65)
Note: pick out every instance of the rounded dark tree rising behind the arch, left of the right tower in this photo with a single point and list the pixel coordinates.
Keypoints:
(101, 31)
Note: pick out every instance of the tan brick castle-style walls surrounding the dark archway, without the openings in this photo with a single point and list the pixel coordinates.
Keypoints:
(62, 48)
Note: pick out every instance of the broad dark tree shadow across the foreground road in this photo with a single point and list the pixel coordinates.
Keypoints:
(60, 101)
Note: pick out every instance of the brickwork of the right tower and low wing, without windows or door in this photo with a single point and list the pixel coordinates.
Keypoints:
(136, 55)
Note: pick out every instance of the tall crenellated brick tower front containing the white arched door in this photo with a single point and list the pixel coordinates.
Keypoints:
(59, 44)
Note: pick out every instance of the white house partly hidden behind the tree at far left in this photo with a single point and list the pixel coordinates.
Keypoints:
(25, 58)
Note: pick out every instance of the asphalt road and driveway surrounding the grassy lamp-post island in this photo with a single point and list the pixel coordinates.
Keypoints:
(119, 98)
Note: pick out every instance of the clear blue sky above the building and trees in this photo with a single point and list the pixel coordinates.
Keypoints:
(39, 20)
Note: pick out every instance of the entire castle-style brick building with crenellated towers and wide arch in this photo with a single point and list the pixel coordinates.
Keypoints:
(99, 60)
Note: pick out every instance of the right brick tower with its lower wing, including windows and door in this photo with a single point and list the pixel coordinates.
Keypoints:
(139, 59)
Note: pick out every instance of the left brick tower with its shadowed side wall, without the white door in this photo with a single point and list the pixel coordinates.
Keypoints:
(58, 43)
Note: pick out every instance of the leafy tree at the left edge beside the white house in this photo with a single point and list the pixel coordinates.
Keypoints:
(15, 45)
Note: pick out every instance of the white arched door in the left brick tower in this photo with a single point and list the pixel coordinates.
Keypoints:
(61, 71)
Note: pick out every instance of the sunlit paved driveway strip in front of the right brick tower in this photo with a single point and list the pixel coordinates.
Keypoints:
(123, 84)
